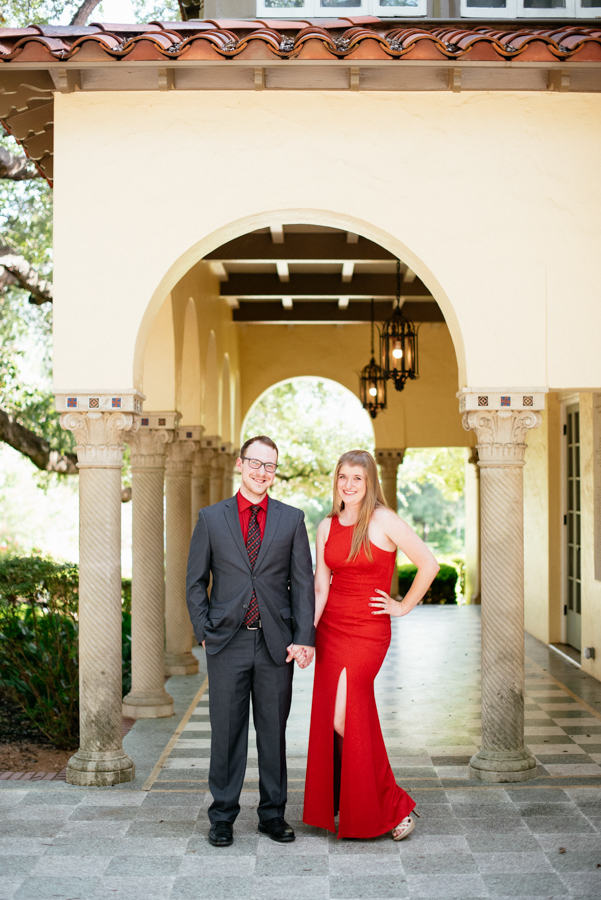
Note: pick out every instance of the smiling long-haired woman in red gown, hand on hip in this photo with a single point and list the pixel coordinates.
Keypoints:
(348, 772)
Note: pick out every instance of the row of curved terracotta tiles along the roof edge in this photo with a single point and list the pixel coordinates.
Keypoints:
(352, 37)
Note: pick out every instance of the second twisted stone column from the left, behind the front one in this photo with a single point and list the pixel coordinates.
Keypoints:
(148, 698)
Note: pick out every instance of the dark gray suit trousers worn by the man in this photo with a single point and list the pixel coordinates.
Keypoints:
(243, 669)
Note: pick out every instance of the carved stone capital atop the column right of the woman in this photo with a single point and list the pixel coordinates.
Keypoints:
(501, 434)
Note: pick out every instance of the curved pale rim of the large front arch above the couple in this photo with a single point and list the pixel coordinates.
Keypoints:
(239, 227)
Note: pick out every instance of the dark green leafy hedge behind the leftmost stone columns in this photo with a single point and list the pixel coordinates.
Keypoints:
(39, 642)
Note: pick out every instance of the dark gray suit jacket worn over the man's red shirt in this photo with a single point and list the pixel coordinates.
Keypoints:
(282, 578)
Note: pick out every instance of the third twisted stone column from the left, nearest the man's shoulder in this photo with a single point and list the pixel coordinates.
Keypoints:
(179, 659)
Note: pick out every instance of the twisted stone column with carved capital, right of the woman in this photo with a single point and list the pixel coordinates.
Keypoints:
(501, 447)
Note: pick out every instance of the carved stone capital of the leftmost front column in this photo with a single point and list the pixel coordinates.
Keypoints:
(99, 436)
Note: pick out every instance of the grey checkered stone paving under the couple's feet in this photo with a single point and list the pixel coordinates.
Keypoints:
(148, 839)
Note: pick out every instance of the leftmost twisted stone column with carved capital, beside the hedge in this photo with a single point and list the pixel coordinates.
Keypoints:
(100, 759)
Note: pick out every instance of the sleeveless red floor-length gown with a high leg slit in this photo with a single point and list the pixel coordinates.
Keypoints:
(350, 637)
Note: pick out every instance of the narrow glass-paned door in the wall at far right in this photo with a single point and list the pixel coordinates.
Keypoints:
(573, 522)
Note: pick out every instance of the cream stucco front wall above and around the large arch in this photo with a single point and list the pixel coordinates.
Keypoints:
(494, 200)
